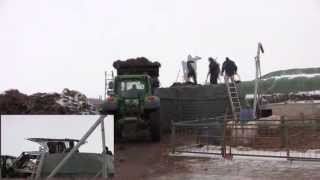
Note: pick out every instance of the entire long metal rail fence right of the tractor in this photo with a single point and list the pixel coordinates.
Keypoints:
(293, 139)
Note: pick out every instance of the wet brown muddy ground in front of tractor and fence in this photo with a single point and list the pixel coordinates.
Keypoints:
(142, 159)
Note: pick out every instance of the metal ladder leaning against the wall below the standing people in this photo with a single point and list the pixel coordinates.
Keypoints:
(233, 95)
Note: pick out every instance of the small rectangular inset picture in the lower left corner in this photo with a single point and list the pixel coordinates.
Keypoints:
(60, 146)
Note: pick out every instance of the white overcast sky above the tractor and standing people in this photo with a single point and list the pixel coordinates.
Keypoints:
(47, 45)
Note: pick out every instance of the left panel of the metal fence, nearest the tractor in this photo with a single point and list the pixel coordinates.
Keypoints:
(198, 136)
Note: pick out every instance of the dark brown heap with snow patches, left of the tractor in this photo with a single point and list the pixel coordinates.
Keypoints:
(68, 102)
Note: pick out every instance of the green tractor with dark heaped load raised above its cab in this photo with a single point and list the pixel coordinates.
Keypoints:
(132, 100)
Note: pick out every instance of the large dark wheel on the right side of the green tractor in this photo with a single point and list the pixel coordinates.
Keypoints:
(155, 125)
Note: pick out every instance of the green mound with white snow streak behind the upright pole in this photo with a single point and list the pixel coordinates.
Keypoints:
(286, 81)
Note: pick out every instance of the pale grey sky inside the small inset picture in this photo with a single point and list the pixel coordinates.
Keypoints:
(16, 128)
